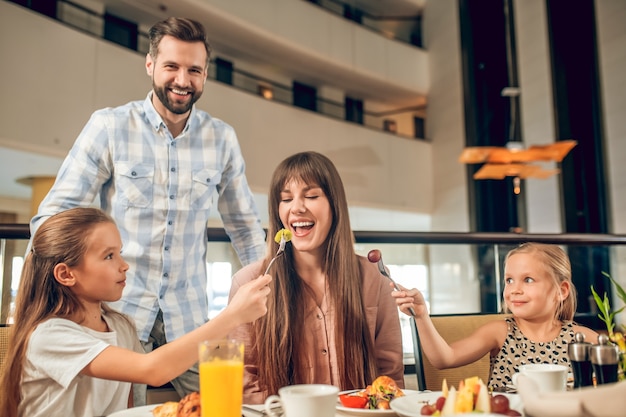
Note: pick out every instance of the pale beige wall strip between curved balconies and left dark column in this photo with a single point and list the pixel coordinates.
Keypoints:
(453, 280)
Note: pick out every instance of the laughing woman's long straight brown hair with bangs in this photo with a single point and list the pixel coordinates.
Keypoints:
(280, 333)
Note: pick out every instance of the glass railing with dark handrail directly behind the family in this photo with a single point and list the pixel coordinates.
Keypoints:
(458, 273)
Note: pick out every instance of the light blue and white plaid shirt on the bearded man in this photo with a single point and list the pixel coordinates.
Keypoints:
(160, 190)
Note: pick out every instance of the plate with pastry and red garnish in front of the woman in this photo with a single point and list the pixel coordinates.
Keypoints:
(373, 400)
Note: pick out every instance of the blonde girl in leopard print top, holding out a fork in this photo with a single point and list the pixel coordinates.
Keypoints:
(539, 294)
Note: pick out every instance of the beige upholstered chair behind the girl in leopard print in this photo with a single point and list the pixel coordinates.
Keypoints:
(452, 328)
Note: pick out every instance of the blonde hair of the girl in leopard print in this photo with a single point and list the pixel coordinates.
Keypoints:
(558, 266)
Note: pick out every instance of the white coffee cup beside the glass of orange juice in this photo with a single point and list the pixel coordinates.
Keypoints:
(304, 400)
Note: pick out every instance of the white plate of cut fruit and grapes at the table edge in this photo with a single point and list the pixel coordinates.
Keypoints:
(471, 397)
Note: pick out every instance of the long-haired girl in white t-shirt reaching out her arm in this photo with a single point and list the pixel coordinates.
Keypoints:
(69, 353)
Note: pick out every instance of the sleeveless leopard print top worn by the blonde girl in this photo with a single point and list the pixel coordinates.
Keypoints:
(519, 350)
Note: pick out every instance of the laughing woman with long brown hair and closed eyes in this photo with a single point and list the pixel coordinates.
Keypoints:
(330, 317)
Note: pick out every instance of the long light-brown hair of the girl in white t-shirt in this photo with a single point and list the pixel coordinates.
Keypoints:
(60, 239)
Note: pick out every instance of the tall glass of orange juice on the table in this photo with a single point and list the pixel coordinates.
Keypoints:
(221, 388)
